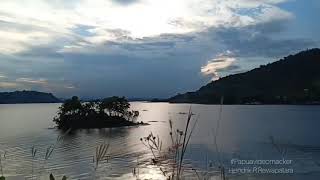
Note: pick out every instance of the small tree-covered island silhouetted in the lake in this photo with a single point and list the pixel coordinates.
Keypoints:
(106, 113)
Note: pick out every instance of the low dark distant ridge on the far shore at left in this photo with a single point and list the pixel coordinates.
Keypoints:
(17, 97)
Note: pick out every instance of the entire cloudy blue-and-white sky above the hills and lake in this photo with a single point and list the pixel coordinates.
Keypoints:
(145, 48)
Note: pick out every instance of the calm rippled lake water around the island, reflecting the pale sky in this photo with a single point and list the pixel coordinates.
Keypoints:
(244, 133)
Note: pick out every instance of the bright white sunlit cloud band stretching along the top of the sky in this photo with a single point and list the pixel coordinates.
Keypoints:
(85, 22)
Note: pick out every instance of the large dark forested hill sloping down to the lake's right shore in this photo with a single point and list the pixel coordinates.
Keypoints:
(294, 79)
